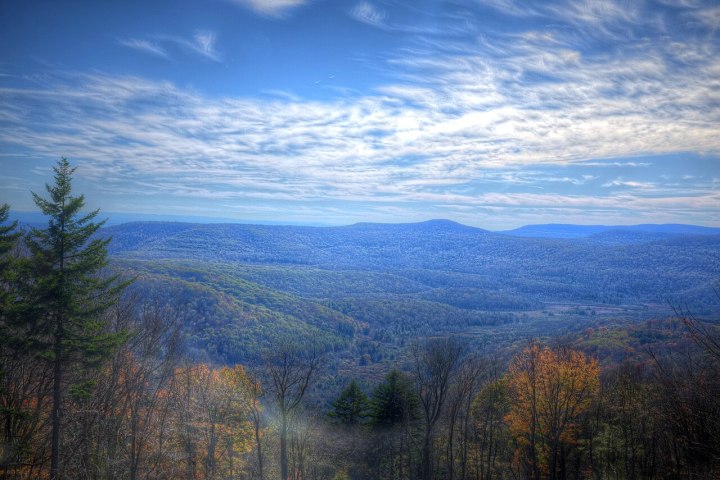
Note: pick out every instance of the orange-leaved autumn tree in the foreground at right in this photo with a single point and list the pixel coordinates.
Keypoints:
(550, 390)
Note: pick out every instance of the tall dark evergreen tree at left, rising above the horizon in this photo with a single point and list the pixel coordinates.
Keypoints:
(68, 295)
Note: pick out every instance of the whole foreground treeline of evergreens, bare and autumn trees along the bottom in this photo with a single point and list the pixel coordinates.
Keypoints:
(99, 384)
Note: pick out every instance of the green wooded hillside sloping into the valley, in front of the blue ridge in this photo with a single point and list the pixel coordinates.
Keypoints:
(233, 319)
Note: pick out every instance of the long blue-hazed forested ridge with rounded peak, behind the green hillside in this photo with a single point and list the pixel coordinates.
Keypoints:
(440, 261)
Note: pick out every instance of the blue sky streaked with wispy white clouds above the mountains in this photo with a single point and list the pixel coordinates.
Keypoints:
(492, 113)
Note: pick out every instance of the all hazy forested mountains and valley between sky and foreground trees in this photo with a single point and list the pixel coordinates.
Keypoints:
(369, 287)
